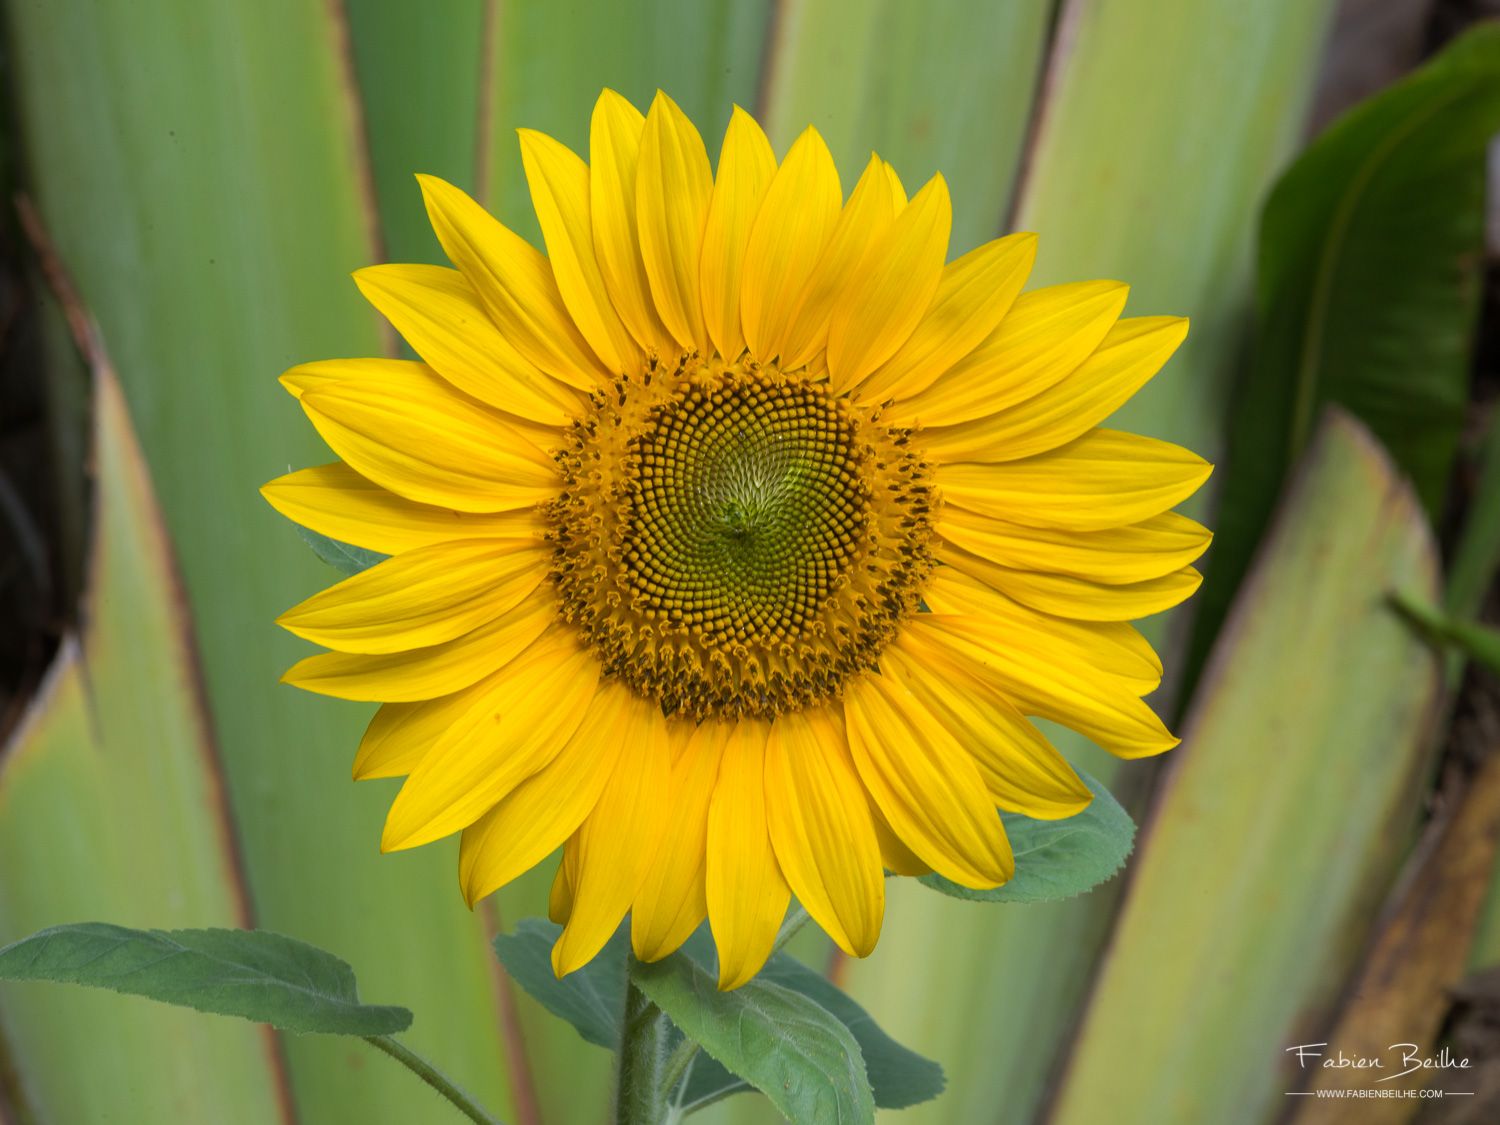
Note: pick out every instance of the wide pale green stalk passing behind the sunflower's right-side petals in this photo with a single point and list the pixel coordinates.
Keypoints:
(1142, 169)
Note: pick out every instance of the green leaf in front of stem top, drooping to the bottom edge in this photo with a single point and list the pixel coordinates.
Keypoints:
(781, 1042)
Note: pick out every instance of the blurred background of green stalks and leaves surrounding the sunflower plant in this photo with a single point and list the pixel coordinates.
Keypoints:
(187, 190)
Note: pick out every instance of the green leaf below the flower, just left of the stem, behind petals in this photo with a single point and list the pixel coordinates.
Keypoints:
(592, 998)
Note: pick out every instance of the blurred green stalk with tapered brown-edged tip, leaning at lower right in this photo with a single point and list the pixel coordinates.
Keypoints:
(1282, 823)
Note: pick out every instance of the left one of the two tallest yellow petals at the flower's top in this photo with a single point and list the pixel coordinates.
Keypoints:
(614, 154)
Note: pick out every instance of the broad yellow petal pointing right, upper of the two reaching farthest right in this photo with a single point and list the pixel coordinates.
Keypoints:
(1105, 479)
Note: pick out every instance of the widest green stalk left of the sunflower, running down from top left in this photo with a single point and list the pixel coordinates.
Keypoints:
(200, 178)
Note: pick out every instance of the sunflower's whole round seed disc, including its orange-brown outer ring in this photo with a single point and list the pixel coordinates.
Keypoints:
(734, 541)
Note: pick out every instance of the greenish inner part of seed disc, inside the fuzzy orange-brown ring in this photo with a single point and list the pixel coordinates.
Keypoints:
(745, 509)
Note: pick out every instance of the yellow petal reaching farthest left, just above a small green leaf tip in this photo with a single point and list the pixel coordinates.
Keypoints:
(337, 502)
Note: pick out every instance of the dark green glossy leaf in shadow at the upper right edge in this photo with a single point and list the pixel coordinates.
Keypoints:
(1370, 257)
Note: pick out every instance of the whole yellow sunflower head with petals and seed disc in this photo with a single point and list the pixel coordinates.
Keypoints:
(737, 541)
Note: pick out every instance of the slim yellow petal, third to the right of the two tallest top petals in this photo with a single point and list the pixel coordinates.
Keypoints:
(863, 223)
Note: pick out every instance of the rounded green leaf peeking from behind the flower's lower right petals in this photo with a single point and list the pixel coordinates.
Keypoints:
(1058, 859)
